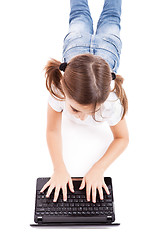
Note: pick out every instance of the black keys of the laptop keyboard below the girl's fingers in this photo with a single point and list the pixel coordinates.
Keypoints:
(76, 204)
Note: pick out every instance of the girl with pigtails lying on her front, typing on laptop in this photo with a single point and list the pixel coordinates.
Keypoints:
(83, 92)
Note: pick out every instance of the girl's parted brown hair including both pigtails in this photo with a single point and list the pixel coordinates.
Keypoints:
(86, 80)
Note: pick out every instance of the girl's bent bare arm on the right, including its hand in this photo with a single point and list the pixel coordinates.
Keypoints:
(94, 178)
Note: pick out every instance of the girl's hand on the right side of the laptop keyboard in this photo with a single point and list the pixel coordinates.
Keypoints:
(94, 179)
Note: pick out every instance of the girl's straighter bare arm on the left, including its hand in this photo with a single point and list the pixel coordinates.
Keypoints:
(60, 177)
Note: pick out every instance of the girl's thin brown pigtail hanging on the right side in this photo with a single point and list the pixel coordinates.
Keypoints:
(118, 89)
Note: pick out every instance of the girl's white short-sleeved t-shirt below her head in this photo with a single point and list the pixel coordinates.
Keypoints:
(111, 110)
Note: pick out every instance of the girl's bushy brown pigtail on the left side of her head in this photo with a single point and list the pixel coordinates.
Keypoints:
(53, 76)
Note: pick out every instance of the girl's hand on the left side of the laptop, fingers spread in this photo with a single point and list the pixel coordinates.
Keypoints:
(59, 180)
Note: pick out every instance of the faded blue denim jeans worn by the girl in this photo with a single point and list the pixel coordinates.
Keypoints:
(80, 38)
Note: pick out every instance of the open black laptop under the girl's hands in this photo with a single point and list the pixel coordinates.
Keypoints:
(76, 210)
